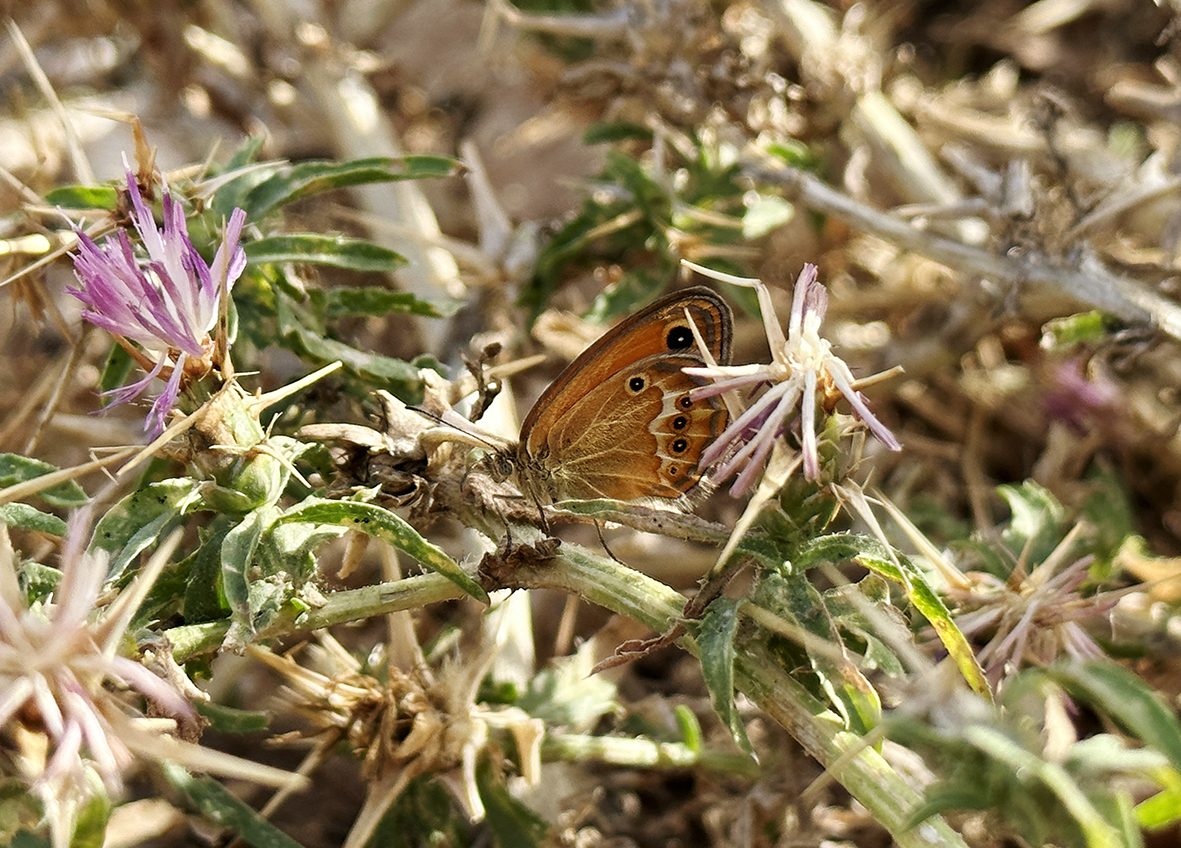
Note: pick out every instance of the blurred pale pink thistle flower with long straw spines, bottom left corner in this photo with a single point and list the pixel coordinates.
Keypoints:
(70, 703)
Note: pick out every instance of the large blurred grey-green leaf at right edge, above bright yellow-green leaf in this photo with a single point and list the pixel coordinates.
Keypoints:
(1126, 699)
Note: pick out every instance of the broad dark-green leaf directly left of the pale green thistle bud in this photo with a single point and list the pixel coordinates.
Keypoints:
(142, 519)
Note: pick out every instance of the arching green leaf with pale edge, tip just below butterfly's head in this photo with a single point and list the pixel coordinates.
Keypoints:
(382, 524)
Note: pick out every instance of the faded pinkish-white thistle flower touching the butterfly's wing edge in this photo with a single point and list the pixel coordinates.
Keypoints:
(802, 363)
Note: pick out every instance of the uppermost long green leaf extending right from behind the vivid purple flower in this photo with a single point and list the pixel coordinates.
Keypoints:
(309, 179)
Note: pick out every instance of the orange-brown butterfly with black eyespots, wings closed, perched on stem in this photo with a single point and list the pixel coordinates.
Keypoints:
(619, 422)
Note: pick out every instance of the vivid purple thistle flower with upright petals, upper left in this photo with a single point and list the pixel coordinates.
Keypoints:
(166, 303)
